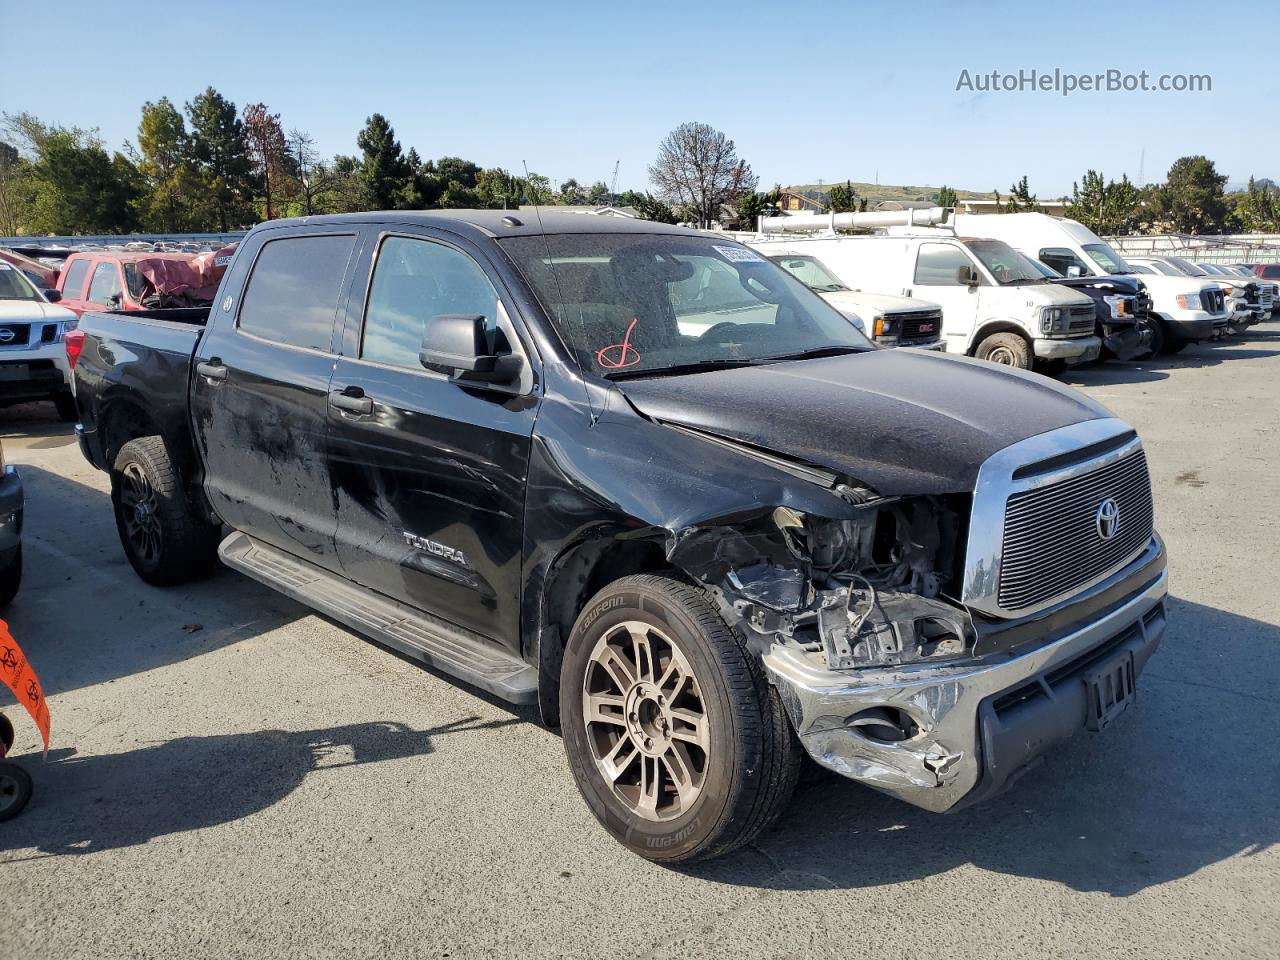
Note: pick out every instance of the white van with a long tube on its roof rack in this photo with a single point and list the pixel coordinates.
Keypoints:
(995, 307)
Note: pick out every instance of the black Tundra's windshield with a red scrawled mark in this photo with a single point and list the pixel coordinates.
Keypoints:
(636, 305)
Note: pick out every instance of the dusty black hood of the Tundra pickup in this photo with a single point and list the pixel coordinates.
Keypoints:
(902, 422)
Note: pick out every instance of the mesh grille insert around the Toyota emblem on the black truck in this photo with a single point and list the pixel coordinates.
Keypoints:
(1054, 538)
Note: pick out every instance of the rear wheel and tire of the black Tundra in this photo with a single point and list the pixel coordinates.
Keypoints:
(163, 538)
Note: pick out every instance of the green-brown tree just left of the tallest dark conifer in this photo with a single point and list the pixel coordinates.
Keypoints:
(171, 182)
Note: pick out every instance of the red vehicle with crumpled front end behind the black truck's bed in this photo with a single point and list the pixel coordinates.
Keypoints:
(125, 281)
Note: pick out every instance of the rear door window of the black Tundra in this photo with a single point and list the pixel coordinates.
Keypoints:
(292, 295)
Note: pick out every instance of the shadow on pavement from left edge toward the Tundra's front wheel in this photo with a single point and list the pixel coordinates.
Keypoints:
(117, 801)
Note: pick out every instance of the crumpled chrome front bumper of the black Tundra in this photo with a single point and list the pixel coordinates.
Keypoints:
(981, 725)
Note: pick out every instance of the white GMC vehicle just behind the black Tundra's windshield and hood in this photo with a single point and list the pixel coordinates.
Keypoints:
(889, 321)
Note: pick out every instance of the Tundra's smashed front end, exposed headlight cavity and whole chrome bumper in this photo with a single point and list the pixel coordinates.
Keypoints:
(886, 676)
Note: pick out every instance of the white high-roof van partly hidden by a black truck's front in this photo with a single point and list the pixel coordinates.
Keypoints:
(1188, 309)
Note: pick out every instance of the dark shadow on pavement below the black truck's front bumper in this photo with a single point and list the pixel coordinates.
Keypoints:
(1187, 780)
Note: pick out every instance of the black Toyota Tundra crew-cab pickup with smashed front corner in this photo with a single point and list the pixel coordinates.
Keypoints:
(648, 481)
